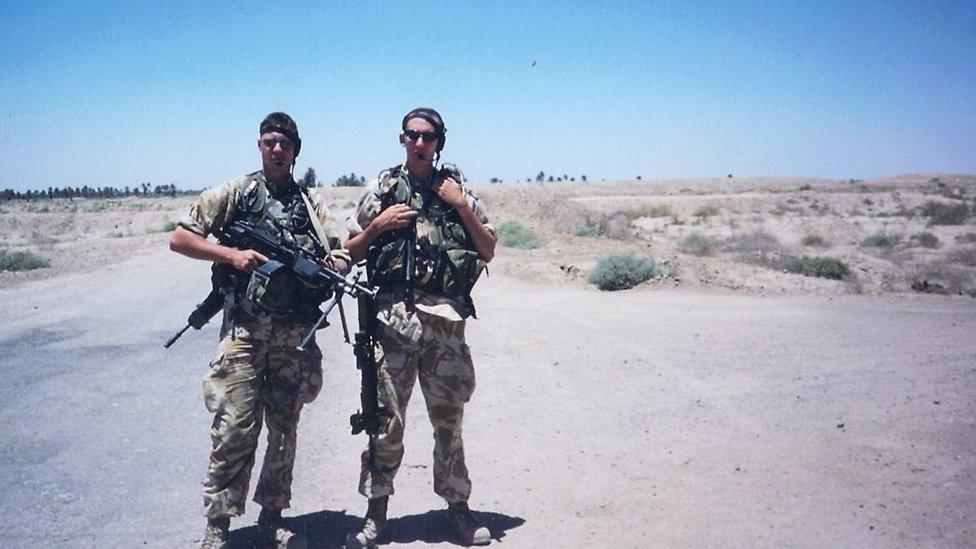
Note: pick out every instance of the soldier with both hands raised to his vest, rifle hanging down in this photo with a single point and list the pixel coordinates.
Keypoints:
(426, 238)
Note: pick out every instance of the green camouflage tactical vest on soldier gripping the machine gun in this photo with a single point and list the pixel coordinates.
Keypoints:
(286, 216)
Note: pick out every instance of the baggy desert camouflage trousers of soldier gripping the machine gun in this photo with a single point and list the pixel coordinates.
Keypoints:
(258, 376)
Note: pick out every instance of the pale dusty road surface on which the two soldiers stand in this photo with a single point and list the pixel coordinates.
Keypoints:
(631, 419)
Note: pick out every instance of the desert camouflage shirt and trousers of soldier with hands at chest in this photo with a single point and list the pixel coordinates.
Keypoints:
(425, 342)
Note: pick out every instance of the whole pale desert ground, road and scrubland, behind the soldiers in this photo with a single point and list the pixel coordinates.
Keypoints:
(726, 401)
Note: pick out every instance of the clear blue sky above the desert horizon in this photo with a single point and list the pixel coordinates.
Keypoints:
(116, 93)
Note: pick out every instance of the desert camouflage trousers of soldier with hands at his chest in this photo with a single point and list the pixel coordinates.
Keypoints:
(441, 360)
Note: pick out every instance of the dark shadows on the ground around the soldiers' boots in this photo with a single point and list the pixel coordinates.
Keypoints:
(328, 529)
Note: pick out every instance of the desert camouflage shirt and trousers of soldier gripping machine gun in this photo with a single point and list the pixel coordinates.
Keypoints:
(257, 373)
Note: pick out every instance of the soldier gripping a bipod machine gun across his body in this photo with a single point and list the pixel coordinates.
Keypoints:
(258, 375)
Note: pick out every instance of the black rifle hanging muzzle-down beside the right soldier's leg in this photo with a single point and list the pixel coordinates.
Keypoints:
(373, 416)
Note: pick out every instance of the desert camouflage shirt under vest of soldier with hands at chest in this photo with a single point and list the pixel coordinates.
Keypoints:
(369, 207)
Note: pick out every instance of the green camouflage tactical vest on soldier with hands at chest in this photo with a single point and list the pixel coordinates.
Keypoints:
(445, 261)
